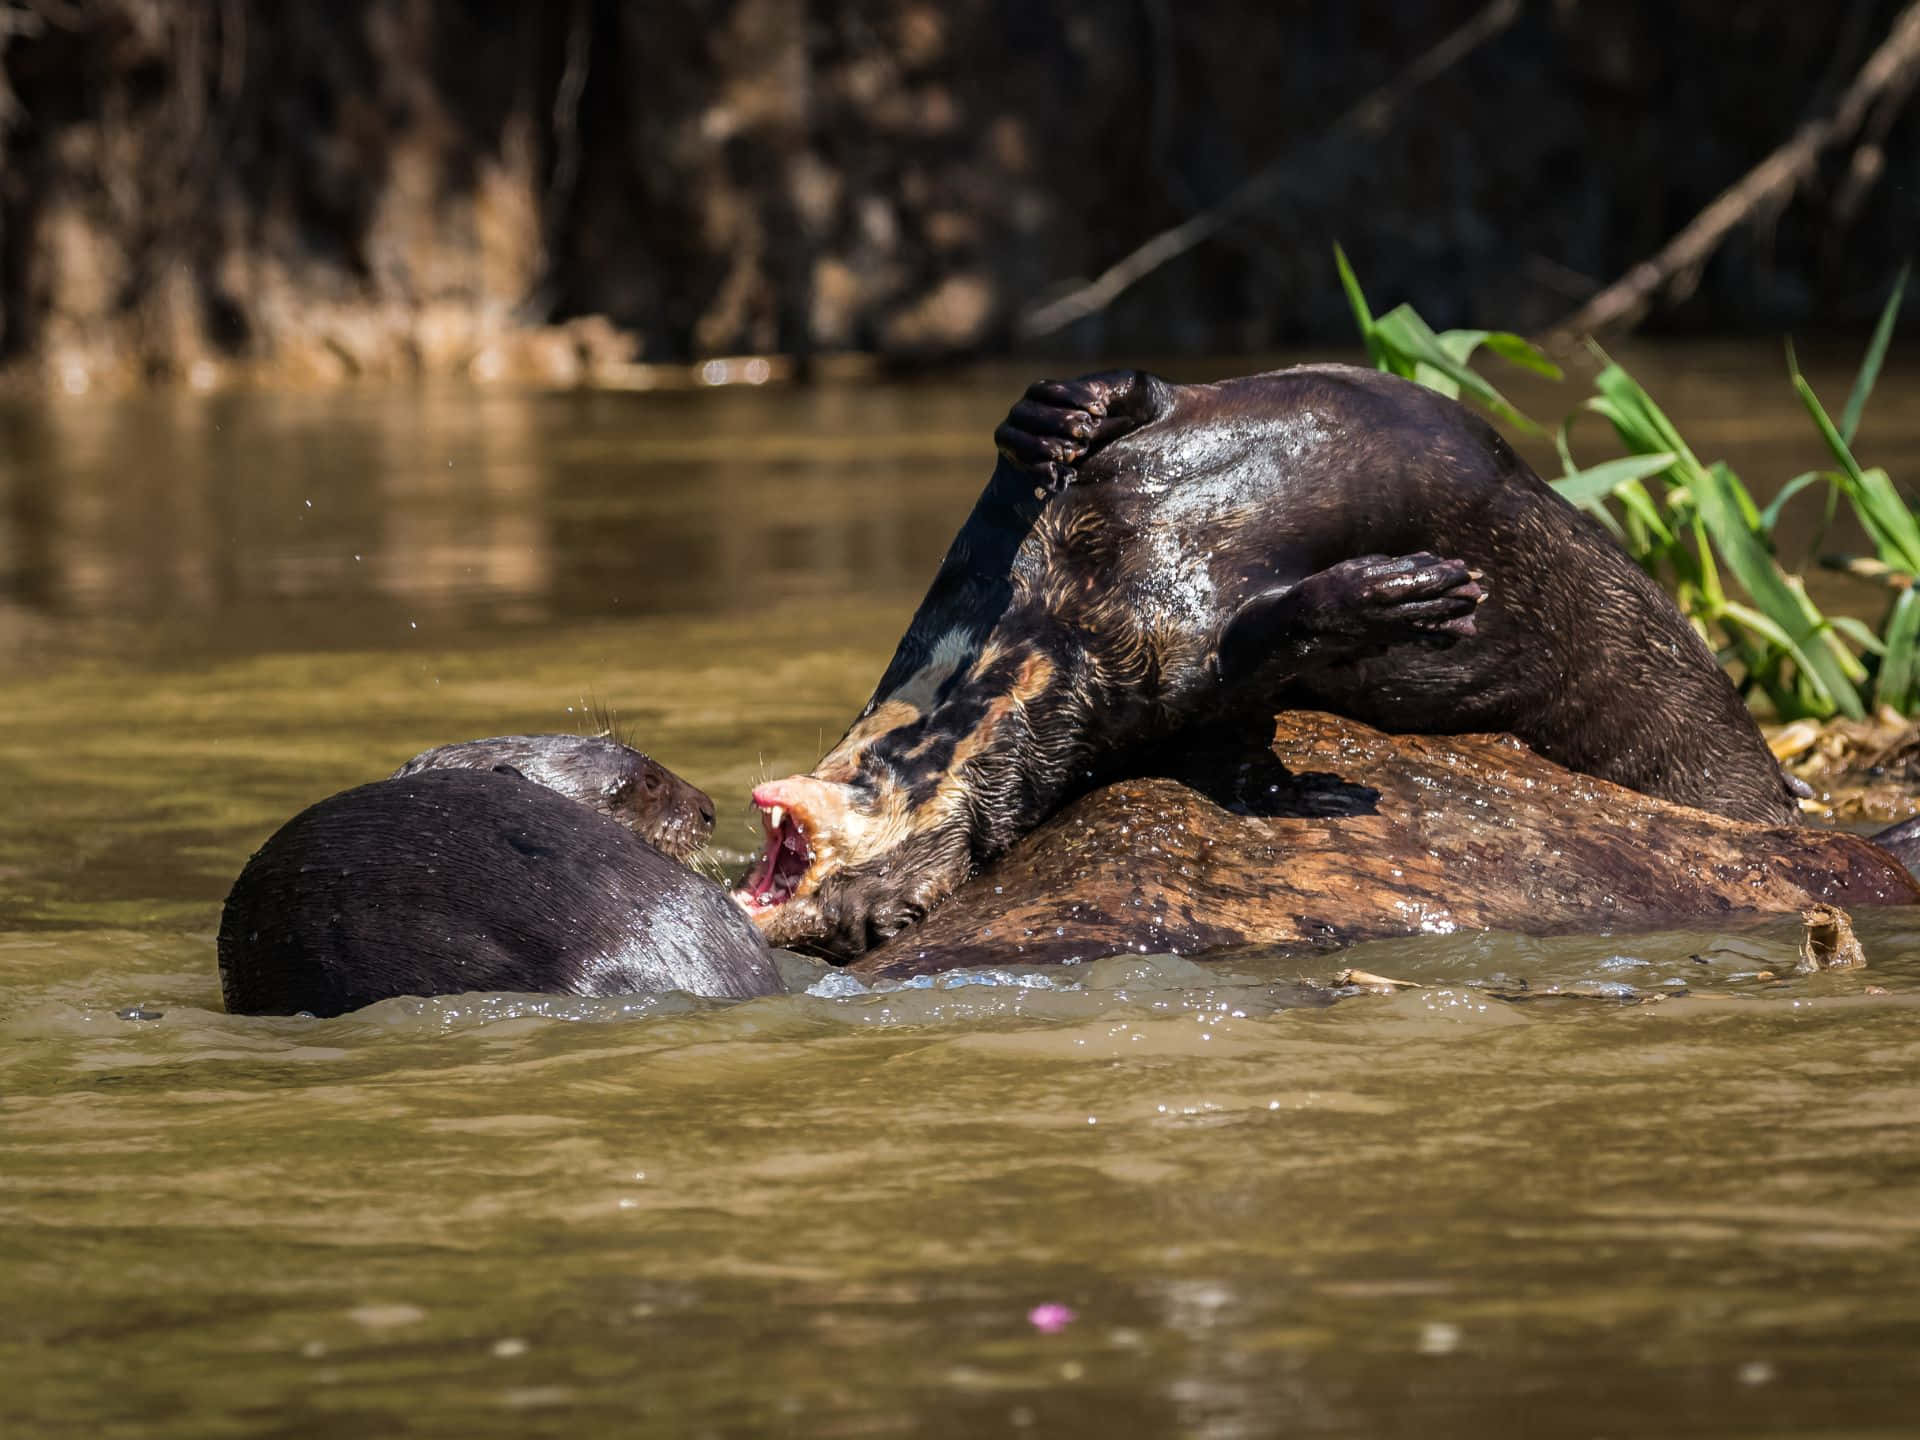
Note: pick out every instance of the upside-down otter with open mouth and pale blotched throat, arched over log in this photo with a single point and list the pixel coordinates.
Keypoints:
(1153, 560)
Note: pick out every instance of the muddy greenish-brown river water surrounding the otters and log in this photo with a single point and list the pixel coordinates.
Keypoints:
(1439, 1214)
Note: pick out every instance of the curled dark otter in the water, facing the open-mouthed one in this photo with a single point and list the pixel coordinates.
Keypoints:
(452, 880)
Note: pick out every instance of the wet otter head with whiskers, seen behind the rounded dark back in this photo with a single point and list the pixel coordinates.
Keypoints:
(596, 771)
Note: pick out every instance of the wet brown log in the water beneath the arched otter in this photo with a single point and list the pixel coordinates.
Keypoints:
(1368, 836)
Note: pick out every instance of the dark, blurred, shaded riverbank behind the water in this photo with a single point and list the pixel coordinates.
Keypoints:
(387, 187)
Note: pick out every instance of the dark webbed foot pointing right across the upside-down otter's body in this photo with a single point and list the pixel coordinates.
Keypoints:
(1351, 610)
